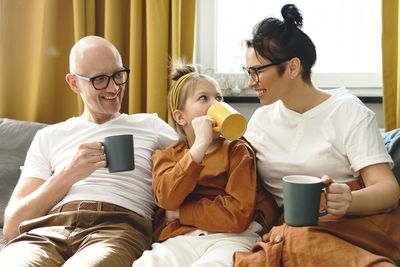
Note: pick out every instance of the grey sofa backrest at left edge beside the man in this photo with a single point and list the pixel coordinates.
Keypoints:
(16, 137)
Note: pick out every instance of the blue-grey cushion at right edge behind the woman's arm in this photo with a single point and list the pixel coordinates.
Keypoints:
(392, 143)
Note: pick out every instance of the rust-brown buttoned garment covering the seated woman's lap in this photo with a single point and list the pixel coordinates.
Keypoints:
(336, 241)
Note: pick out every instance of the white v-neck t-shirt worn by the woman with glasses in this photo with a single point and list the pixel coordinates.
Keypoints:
(338, 138)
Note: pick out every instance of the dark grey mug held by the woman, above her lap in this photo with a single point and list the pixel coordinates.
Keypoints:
(301, 199)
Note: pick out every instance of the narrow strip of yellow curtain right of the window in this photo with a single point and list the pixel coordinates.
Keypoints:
(390, 63)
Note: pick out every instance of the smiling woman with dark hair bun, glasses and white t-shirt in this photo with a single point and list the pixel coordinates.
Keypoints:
(331, 134)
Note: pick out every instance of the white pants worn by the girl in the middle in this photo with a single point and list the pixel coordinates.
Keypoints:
(199, 248)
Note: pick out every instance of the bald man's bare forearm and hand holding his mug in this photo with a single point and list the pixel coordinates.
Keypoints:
(34, 197)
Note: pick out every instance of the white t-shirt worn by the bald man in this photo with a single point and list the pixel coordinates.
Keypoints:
(54, 147)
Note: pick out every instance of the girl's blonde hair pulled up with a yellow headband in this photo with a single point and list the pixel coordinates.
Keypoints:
(178, 70)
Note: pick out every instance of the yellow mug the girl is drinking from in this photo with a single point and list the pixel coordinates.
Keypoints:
(230, 123)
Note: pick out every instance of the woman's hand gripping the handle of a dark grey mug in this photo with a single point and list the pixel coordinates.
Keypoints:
(338, 197)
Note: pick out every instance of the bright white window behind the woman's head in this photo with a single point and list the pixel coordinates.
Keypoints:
(347, 36)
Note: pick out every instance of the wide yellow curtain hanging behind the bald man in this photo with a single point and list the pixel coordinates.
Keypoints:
(36, 37)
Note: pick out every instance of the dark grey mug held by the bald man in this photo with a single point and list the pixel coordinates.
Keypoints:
(119, 152)
